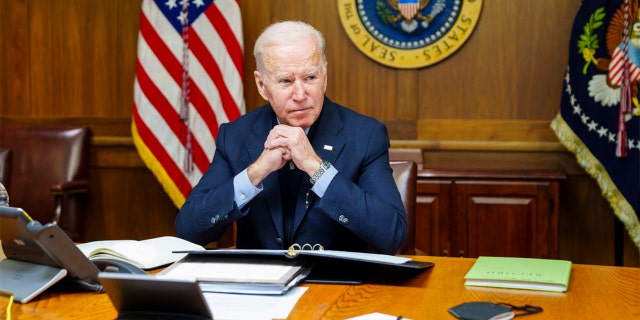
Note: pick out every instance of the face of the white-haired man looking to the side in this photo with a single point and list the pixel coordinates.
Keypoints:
(293, 82)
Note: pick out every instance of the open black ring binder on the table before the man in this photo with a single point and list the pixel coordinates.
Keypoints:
(326, 266)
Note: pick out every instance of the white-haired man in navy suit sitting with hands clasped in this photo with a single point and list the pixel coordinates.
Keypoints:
(300, 169)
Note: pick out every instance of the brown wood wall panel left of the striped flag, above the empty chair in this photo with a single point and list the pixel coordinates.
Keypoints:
(84, 64)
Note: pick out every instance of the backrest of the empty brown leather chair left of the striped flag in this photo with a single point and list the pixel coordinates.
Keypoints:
(44, 156)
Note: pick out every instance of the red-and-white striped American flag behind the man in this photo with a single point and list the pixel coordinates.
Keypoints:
(189, 80)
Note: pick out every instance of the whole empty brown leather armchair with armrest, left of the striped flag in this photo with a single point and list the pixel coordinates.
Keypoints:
(49, 175)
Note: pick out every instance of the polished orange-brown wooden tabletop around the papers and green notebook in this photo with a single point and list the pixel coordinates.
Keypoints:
(595, 292)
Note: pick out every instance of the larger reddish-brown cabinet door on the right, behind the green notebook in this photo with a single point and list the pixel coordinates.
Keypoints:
(505, 218)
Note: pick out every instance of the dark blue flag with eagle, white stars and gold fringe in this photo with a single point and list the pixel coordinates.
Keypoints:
(599, 118)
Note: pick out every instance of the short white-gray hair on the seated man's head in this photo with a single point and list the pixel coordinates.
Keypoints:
(287, 32)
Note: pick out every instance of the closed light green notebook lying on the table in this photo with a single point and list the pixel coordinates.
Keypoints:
(520, 273)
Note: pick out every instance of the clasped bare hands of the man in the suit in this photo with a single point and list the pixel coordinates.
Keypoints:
(284, 143)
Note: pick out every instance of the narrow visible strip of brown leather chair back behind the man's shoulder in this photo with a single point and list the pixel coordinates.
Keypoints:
(405, 174)
